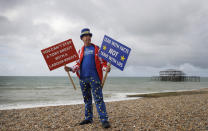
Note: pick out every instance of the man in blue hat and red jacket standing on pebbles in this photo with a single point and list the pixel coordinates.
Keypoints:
(89, 70)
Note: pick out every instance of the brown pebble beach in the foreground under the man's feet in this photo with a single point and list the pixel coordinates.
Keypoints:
(185, 111)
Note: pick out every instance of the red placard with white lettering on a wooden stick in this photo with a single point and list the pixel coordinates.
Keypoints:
(60, 54)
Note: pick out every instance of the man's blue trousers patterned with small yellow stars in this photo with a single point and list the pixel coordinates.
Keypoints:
(91, 86)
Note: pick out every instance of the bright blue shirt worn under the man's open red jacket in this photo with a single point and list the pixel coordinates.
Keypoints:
(88, 66)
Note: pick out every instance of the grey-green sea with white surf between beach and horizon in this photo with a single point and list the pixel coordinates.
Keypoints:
(18, 92)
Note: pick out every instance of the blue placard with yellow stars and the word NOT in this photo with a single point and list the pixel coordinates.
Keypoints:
(114, 52)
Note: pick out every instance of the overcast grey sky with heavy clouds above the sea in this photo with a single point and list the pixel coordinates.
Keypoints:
(163, 34)
